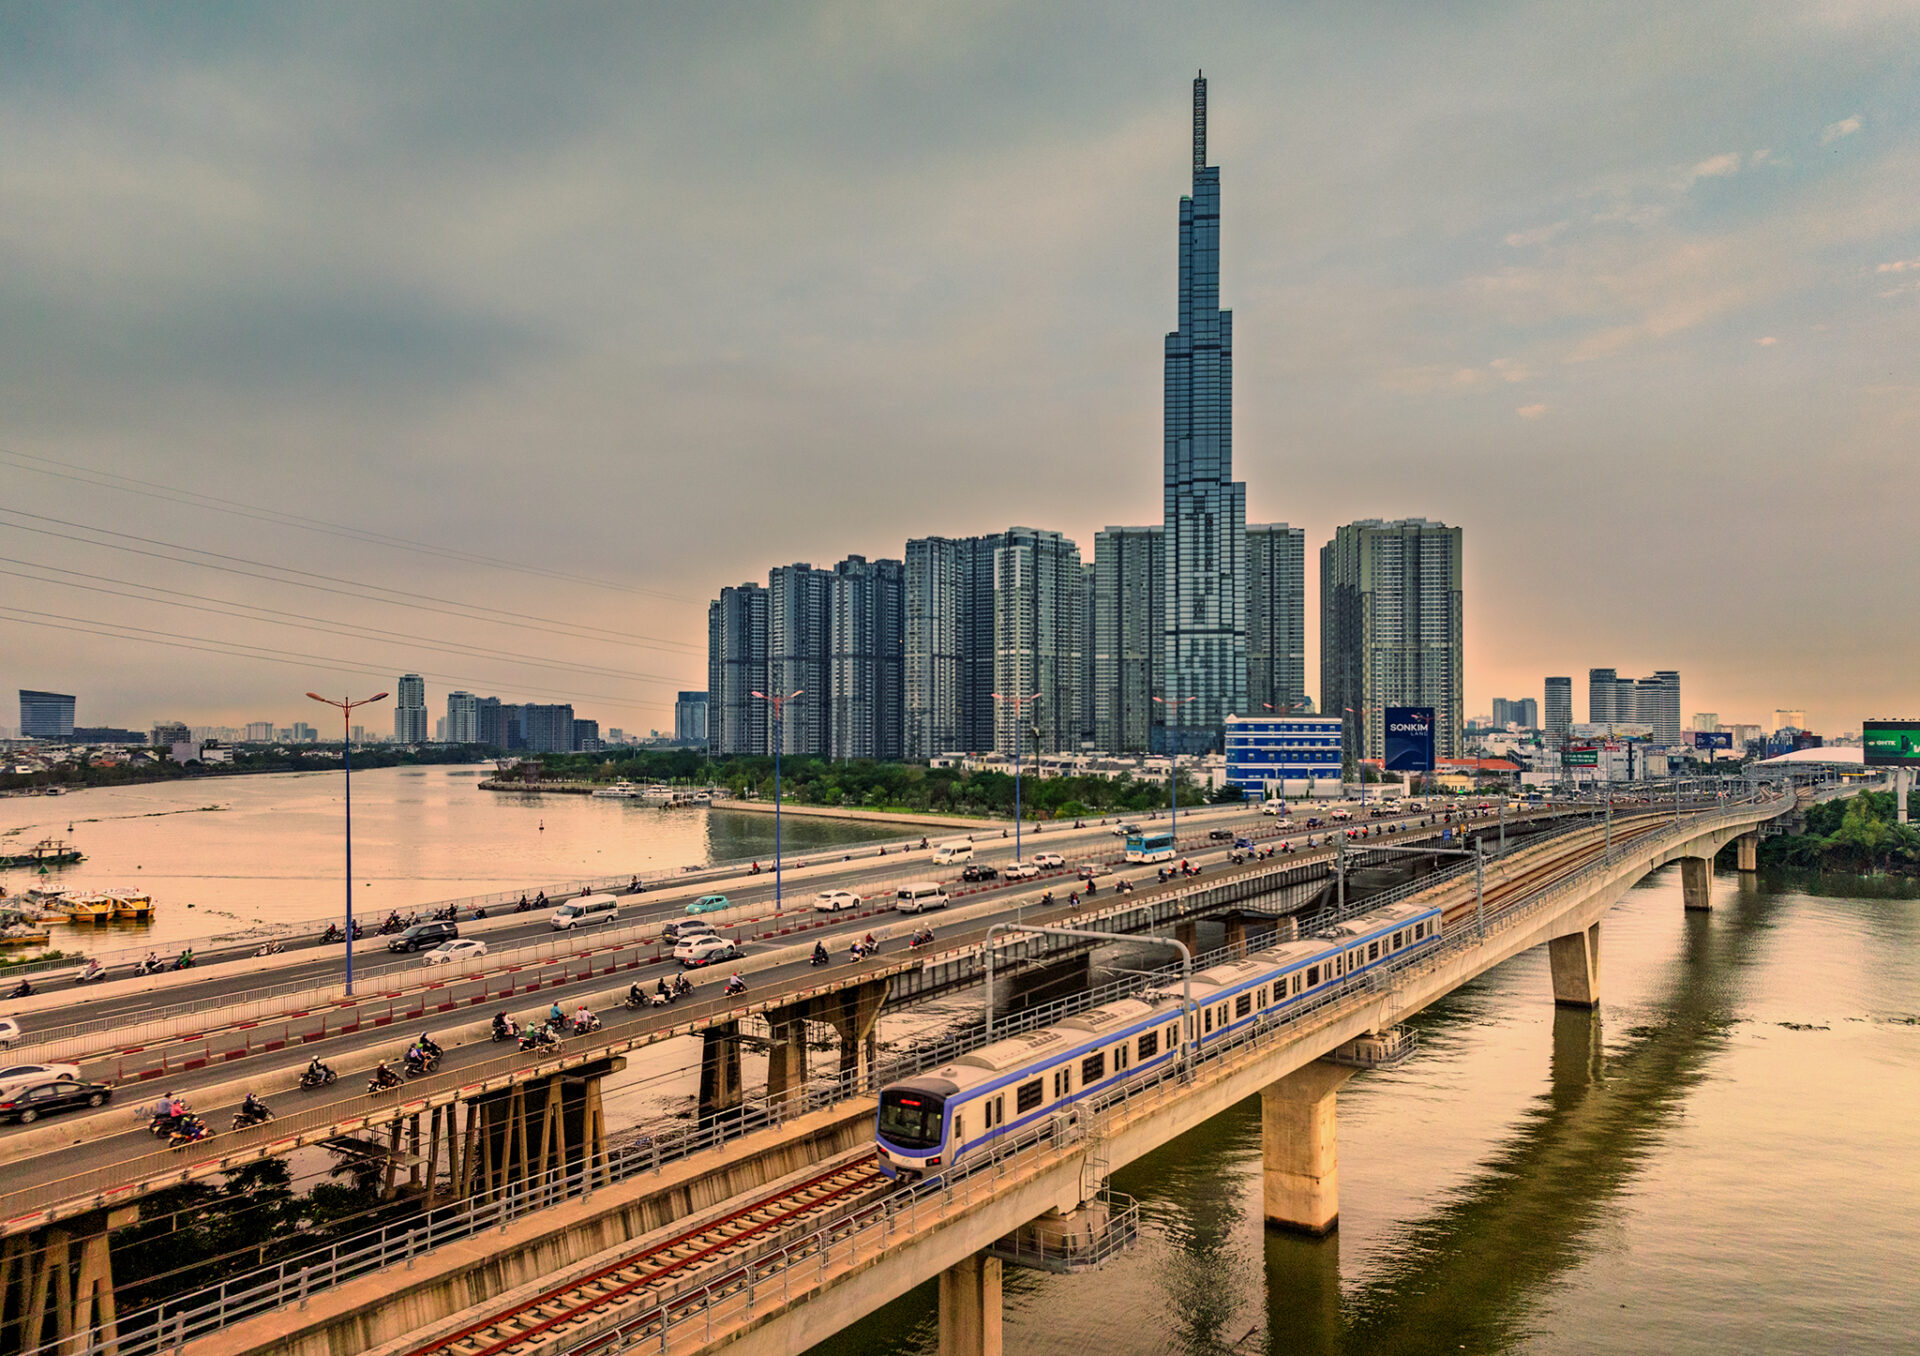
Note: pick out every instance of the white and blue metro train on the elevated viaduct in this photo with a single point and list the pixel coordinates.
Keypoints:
(949, 1115)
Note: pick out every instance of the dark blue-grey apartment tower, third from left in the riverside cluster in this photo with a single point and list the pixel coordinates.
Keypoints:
(867, 660)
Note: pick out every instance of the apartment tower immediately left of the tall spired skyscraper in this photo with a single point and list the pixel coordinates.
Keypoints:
(1128, 637)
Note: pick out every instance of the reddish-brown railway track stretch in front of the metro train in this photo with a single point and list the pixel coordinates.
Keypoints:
(552, 1320)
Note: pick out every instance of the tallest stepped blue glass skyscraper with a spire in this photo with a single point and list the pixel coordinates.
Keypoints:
(1205, 506)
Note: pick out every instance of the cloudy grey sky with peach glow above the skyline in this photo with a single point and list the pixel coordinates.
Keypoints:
(564, 318)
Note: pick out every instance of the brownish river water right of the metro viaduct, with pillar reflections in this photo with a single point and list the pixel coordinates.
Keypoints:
(1723, 1161)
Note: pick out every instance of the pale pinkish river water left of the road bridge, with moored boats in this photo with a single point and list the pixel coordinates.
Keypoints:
(226, 854)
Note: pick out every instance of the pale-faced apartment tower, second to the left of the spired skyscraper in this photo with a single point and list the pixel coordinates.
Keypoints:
(1038, 593)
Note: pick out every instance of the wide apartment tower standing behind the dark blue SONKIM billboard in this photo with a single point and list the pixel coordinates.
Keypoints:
(1391, 629)
